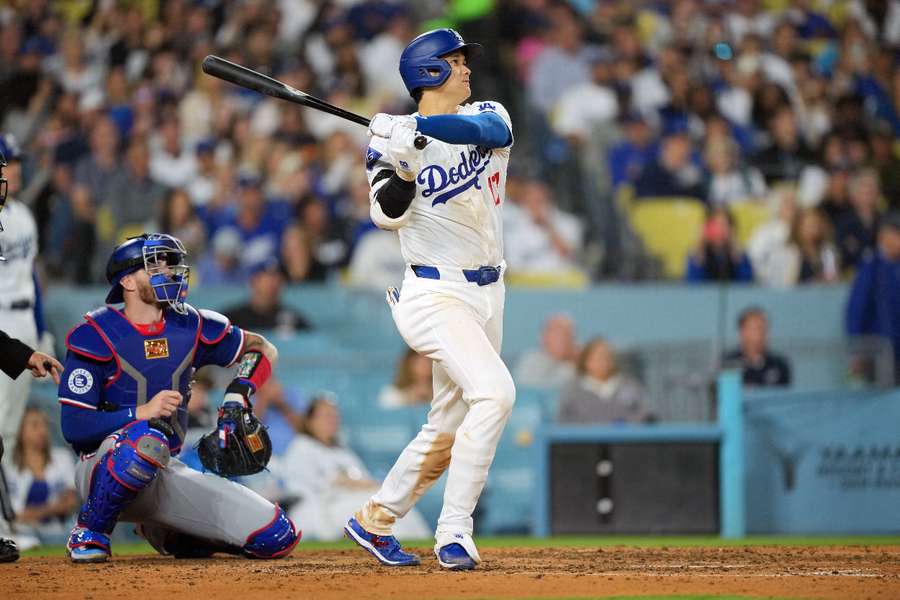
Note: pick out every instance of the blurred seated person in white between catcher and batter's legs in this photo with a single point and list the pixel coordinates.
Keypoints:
(330, 478)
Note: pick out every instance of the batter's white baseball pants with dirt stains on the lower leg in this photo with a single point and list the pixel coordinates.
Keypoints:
(459, 325)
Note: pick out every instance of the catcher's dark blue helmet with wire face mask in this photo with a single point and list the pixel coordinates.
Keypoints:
(162, 256)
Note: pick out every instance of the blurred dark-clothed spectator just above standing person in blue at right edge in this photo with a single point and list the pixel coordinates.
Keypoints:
(857, 230)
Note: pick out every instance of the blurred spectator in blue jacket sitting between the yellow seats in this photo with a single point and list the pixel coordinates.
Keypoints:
(719, 257)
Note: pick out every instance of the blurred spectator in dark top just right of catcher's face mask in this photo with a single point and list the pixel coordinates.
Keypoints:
(264, 310)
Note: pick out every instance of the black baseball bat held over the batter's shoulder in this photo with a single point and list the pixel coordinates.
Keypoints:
(254, 80)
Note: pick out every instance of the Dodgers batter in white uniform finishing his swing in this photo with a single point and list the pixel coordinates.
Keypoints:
(445, 202)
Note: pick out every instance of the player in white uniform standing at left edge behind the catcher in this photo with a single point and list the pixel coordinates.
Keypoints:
(18, 293)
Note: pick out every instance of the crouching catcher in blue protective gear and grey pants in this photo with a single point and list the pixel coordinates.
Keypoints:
(124, 395)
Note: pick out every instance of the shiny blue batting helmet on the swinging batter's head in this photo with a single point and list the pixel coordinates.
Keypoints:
(421, 64)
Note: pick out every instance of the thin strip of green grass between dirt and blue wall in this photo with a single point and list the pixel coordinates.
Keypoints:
(566, 542)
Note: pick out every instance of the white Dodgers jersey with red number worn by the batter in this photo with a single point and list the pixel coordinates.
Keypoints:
(455, 217)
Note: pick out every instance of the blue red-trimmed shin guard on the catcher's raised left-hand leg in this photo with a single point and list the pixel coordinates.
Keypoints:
(126, 469)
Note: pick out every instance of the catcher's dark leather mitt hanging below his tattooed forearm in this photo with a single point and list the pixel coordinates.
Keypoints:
(240, 445)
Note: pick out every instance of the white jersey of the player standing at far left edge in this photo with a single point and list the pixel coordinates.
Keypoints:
(18, 242)
